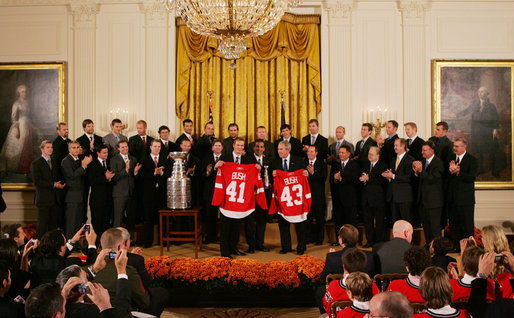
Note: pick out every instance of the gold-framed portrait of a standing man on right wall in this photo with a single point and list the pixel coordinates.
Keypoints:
(475, 98)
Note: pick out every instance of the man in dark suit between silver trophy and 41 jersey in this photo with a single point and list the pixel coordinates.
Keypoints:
(209, 171)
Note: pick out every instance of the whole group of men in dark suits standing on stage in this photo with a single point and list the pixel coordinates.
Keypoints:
(384, 179)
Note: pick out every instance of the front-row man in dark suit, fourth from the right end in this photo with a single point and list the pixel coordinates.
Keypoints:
(346, 178)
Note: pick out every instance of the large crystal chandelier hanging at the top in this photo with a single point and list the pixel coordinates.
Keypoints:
(231, 21)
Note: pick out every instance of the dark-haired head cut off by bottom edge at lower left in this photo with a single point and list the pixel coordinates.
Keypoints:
(45, 301)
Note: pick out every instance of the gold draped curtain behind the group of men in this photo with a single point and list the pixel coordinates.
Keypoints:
(286, 58)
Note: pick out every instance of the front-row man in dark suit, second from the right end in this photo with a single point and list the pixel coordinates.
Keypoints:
(430, 195)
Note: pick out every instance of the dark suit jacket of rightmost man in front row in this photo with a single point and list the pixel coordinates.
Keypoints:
(461, 188)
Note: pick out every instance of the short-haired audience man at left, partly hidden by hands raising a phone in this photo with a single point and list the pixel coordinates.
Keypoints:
(149, 301)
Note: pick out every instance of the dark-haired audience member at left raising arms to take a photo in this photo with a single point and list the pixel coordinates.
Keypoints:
(54, 252)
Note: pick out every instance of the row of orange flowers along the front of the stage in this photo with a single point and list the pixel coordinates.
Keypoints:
(222, 272)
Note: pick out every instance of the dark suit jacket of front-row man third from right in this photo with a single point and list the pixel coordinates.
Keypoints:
(400, 188)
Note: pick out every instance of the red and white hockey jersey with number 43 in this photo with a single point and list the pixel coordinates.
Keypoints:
(291, 196)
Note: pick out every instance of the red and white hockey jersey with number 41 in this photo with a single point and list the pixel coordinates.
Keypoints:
(236, 190)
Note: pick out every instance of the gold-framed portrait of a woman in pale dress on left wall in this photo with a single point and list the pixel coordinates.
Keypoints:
(32, 103)
